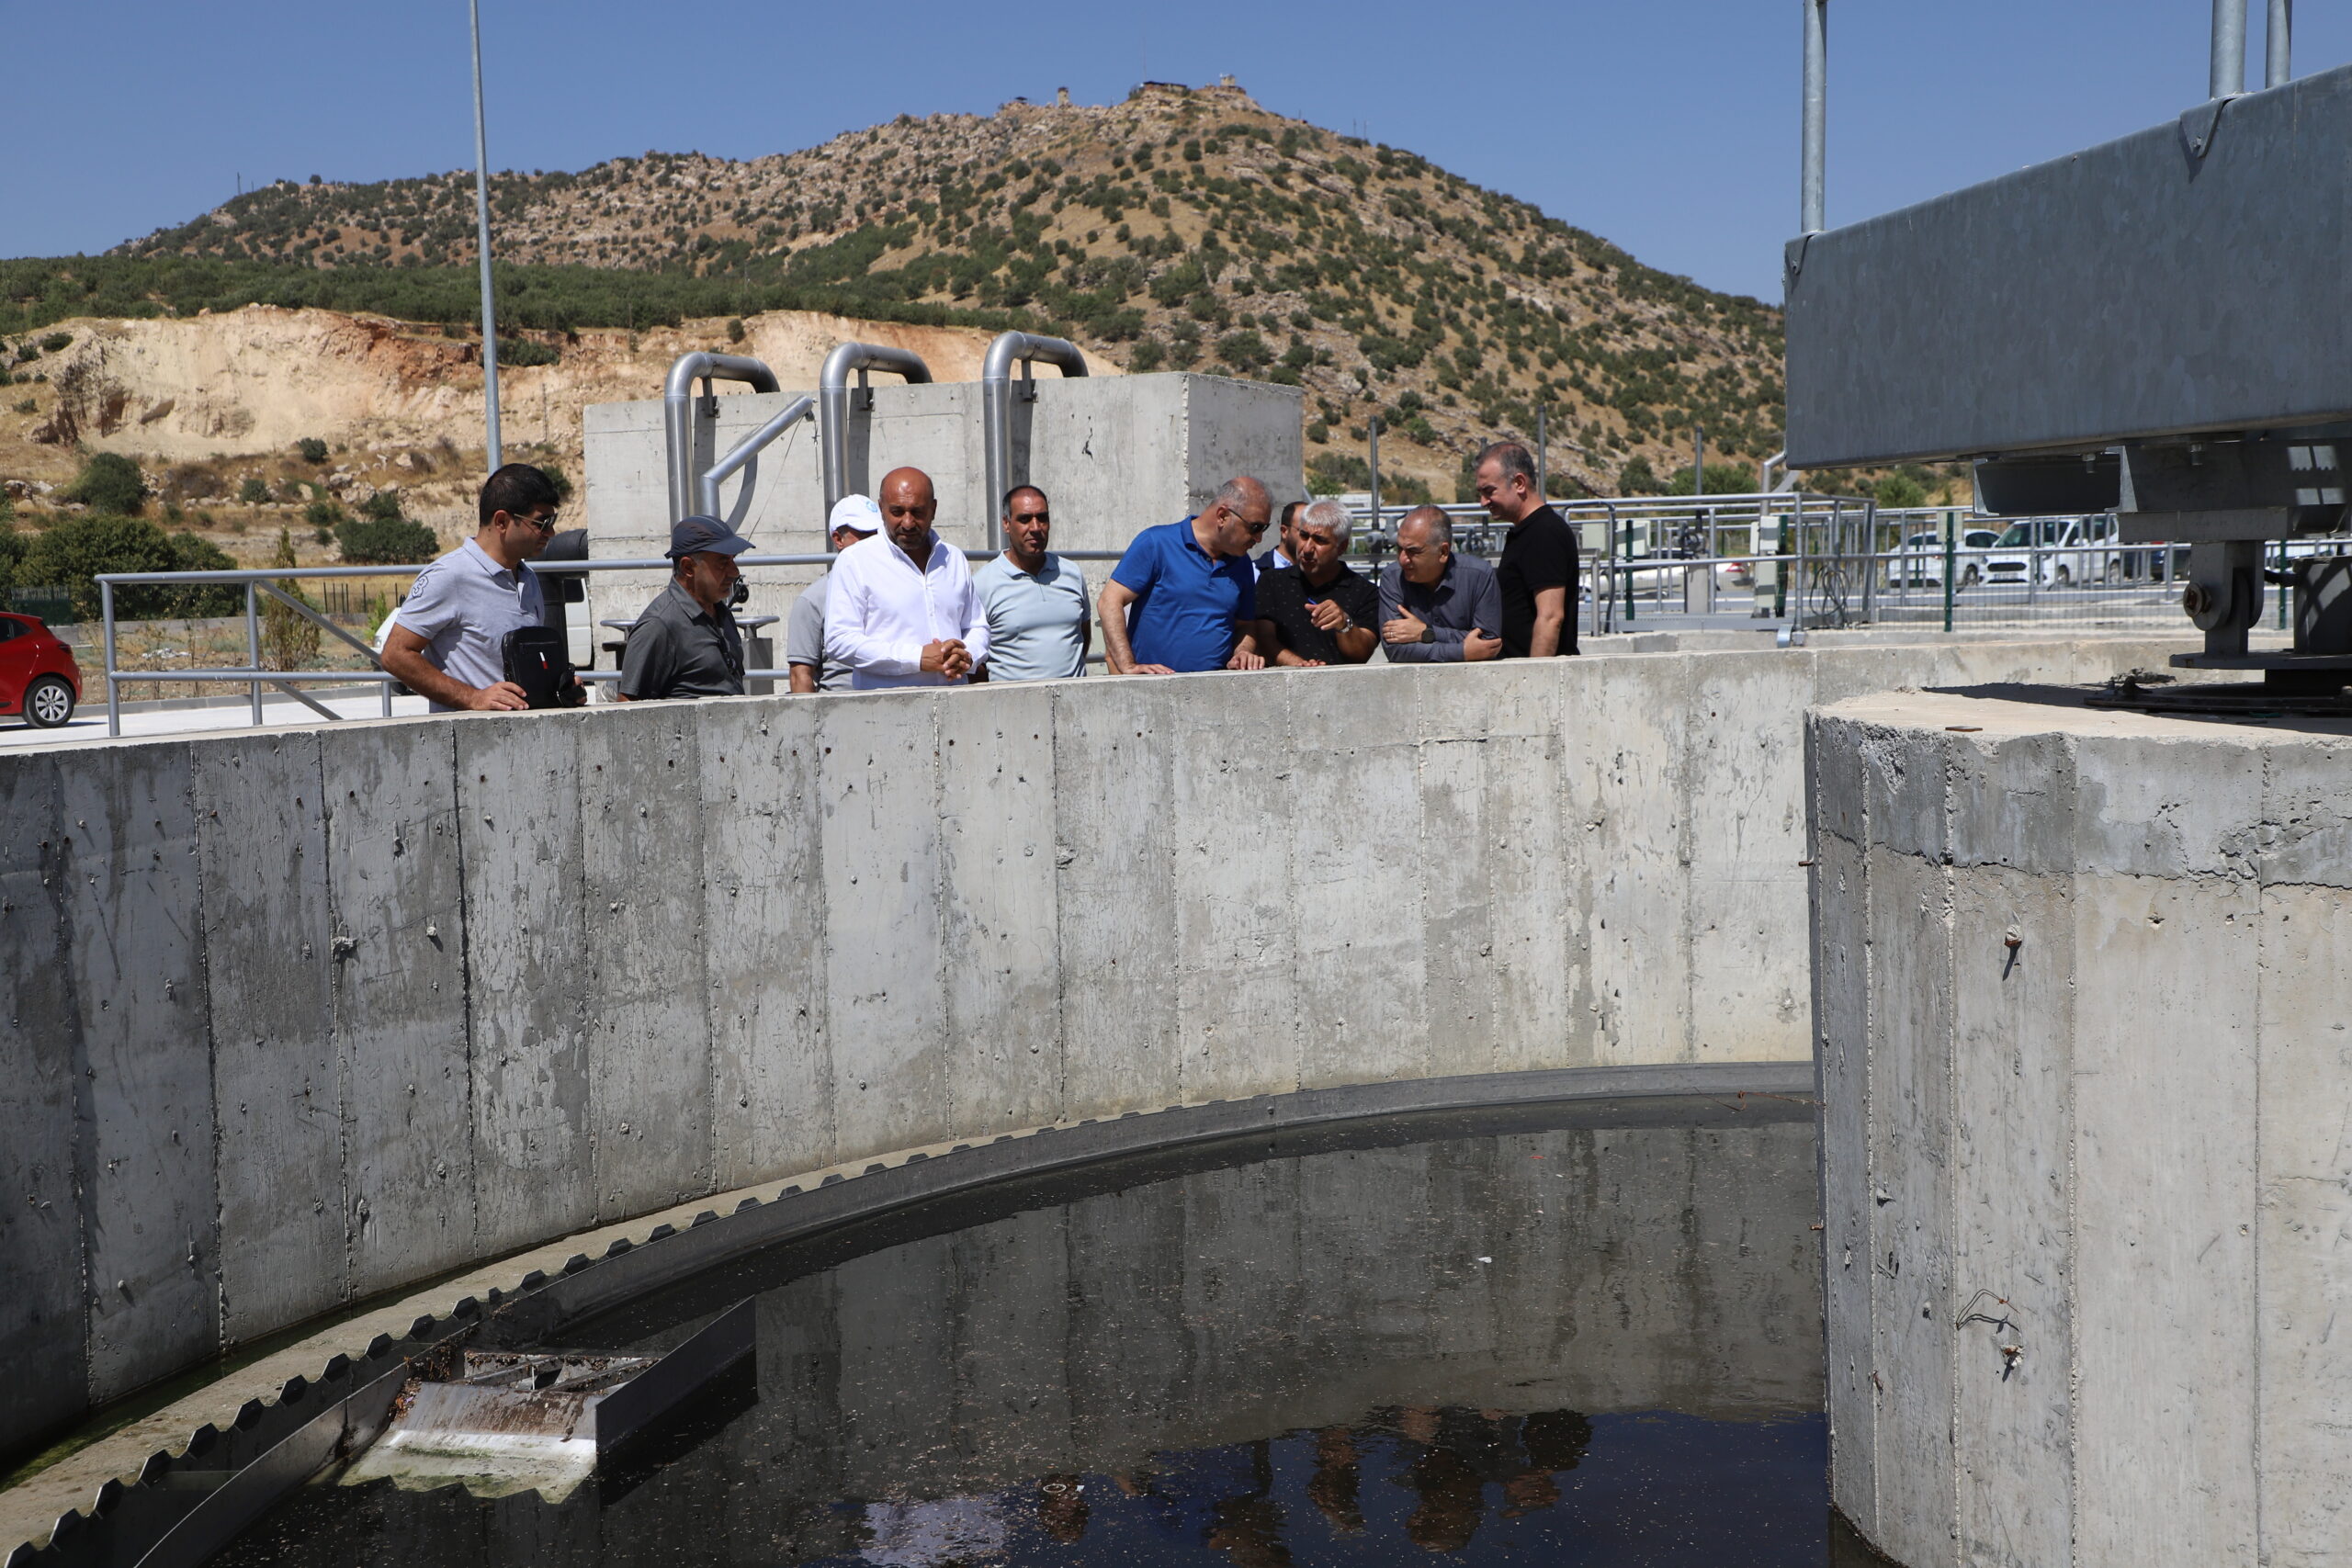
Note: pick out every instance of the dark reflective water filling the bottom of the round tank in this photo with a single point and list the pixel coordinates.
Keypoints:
(1539, 1336)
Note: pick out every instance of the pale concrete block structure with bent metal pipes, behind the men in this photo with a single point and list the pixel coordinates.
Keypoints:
(1116, 455)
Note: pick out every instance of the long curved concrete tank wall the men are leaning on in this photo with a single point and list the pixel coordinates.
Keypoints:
(300, 1017)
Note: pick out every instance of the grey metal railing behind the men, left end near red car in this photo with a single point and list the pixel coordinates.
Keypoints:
(262, 582)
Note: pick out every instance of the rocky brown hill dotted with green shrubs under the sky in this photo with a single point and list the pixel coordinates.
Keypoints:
(1175, 229)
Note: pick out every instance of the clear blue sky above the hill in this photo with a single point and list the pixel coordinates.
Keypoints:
(1666, 126)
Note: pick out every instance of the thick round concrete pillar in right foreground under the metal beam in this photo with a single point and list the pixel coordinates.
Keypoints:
(2083, 989)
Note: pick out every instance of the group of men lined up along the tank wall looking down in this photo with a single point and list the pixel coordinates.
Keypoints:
(902, 608)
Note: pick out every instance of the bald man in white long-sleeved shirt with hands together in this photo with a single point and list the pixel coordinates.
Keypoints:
(902, 610)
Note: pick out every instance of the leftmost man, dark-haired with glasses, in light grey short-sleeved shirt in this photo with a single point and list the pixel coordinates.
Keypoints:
(450, 636)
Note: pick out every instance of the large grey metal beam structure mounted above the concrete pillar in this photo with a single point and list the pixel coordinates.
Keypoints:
(2167, 321)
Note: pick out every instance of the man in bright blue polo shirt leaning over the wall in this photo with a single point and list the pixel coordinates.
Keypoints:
(1187, 594)
